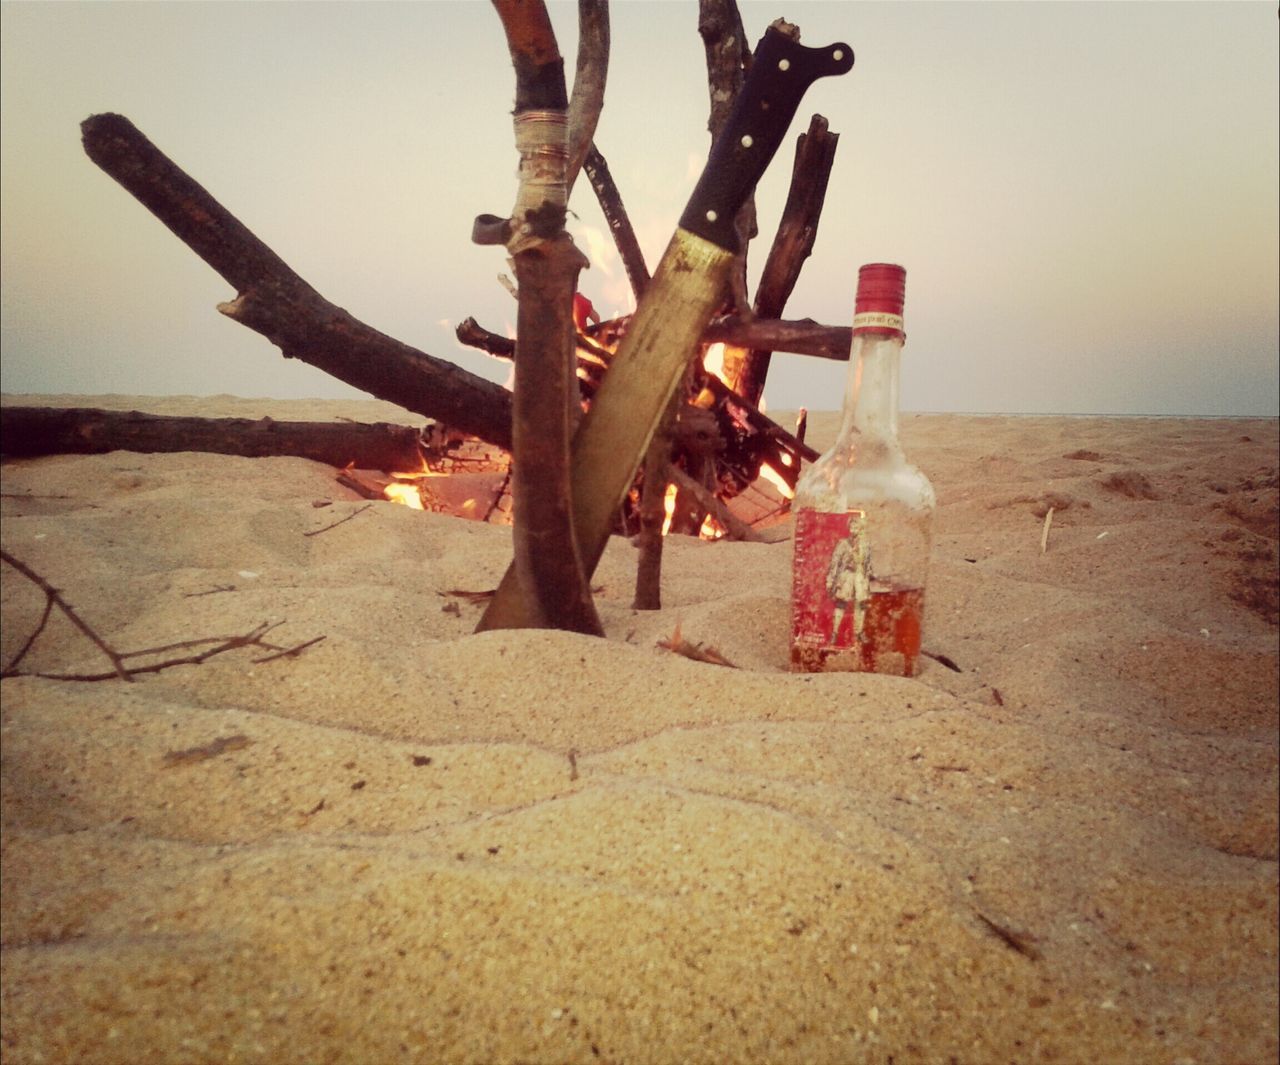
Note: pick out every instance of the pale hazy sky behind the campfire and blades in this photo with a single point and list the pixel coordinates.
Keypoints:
(1084, 194)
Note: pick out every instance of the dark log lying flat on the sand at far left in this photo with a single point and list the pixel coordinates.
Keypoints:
(30, 432)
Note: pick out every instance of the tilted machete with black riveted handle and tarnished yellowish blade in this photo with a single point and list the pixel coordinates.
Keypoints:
(678, 304)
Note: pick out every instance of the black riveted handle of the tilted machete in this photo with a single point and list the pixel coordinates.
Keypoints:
(781, 72)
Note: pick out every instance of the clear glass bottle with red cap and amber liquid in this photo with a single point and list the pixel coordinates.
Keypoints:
(865, 515)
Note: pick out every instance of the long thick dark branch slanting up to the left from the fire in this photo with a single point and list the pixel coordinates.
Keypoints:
(275, 301)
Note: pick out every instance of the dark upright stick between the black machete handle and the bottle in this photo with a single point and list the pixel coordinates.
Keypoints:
(793, 244)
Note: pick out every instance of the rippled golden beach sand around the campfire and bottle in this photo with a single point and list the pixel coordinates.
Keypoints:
(409, 843)
